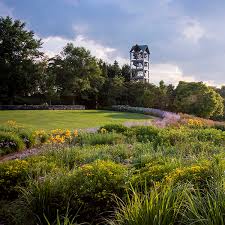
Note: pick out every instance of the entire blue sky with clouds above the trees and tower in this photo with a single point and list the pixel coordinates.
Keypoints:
(186, 37)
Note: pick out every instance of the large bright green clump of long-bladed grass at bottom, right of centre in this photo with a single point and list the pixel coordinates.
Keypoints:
(160, 206)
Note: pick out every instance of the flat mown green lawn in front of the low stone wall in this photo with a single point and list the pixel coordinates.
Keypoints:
(71, 119)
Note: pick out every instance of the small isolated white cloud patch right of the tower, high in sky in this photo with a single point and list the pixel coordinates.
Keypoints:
(193, 31)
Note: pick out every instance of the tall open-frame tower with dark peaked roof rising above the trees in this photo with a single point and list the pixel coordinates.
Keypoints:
(139, 63)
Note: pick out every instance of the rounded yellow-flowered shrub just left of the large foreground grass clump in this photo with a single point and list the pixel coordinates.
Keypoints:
(96, 184)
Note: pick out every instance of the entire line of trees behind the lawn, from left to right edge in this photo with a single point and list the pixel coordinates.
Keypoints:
(74, 76)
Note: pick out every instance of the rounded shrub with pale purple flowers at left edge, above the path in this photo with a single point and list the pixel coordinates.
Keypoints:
(10, 142)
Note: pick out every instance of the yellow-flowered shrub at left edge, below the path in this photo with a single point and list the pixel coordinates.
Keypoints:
(12, 174)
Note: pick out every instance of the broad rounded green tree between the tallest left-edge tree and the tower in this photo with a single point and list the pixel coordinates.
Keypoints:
(78, 74)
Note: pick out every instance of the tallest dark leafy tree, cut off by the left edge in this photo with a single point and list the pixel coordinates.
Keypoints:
(19, 54)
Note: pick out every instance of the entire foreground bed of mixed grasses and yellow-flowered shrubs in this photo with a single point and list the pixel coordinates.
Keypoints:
(173, 172)
